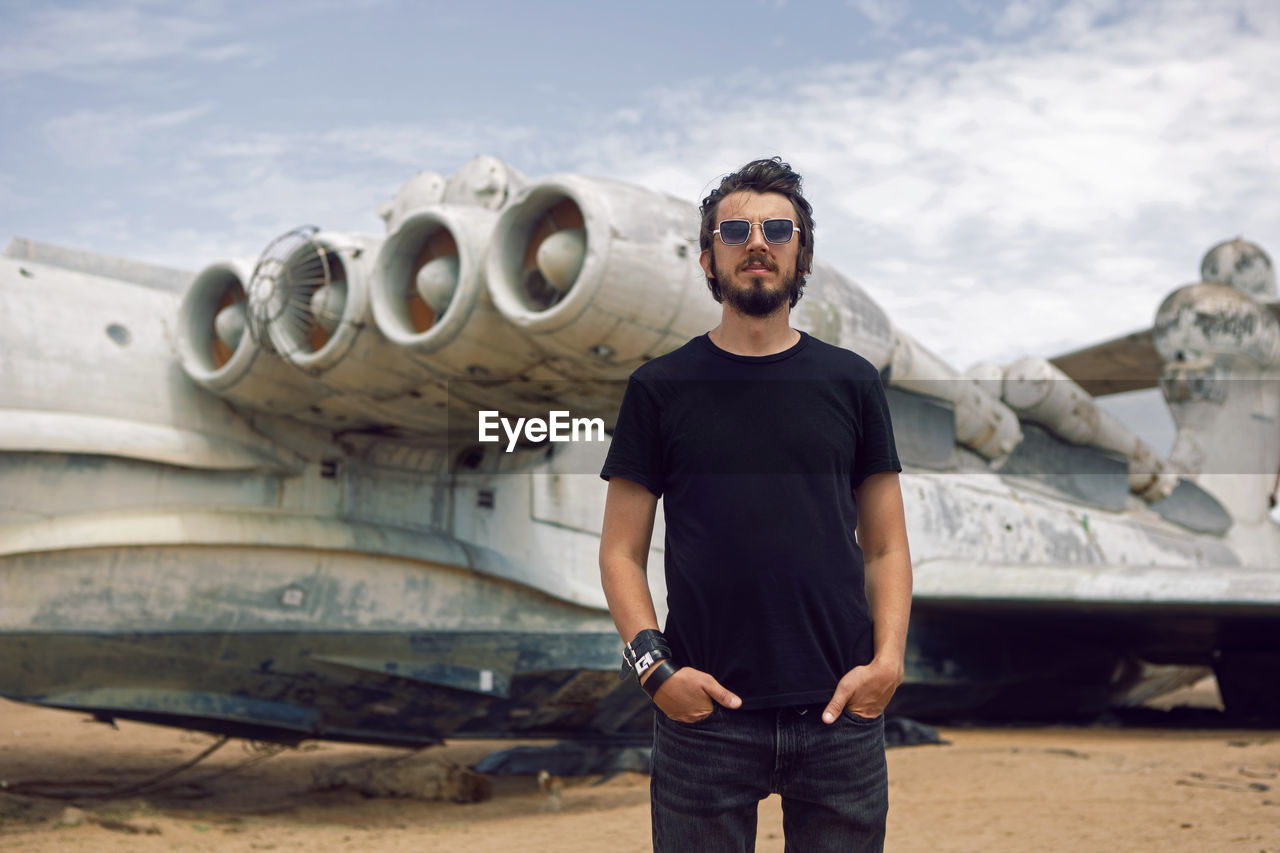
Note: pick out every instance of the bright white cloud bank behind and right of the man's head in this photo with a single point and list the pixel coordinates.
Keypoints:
(1068, 181)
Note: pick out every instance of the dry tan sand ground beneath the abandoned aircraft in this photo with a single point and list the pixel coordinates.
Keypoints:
(1018, 790)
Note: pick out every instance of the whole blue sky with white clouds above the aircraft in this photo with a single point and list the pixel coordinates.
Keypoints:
(1004, 177)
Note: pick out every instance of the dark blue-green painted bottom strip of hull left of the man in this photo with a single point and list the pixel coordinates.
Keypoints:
(367, 687)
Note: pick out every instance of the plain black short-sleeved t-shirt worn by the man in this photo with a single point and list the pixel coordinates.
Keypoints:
(757, 459)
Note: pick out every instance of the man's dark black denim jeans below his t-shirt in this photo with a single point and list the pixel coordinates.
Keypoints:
(710, 777)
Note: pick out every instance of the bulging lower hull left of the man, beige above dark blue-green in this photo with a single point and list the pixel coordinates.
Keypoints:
(307, 645)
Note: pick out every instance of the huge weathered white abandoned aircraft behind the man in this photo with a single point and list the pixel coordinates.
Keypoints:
(257, 500)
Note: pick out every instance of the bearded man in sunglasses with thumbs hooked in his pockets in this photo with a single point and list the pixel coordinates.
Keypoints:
(785, 635)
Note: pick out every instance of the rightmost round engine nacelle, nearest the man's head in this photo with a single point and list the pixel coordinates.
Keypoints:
(604, 275)
